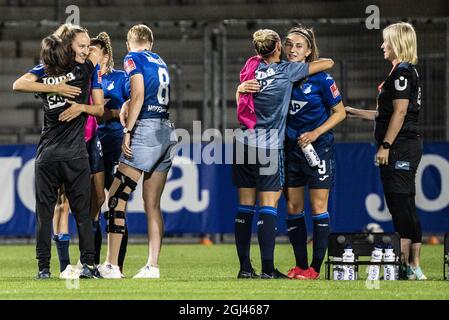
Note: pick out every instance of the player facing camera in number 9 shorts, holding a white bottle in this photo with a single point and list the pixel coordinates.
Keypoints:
(315, 109)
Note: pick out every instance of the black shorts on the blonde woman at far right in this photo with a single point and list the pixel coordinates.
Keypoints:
(399, 175)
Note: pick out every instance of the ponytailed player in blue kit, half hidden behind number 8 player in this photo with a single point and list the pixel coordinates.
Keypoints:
(110, 131)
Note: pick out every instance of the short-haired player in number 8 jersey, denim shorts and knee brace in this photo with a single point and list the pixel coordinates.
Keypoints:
(147, 147)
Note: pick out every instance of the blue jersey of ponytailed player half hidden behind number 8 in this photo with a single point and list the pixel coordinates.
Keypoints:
(115, 87)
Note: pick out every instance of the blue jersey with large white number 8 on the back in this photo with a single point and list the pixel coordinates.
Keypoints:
(156, 82)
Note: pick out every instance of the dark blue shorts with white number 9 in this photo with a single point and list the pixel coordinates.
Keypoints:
(300, 174)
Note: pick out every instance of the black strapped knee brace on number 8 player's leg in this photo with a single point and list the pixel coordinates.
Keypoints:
(111, 215)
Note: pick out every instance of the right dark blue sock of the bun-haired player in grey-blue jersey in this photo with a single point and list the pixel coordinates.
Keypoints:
(266, 234)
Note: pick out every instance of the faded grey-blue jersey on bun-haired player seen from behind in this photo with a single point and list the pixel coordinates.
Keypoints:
(272, 101)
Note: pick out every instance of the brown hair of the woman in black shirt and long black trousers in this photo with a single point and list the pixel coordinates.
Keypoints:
(55, 56)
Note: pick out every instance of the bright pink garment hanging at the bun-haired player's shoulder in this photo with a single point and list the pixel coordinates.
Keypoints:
(245, 108)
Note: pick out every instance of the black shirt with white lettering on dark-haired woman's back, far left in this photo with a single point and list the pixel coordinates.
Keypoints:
(64, 140)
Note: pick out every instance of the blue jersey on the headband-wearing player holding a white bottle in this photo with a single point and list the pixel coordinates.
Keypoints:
(310, 106)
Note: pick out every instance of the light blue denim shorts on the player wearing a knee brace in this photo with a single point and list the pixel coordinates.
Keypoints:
(153, 144)
